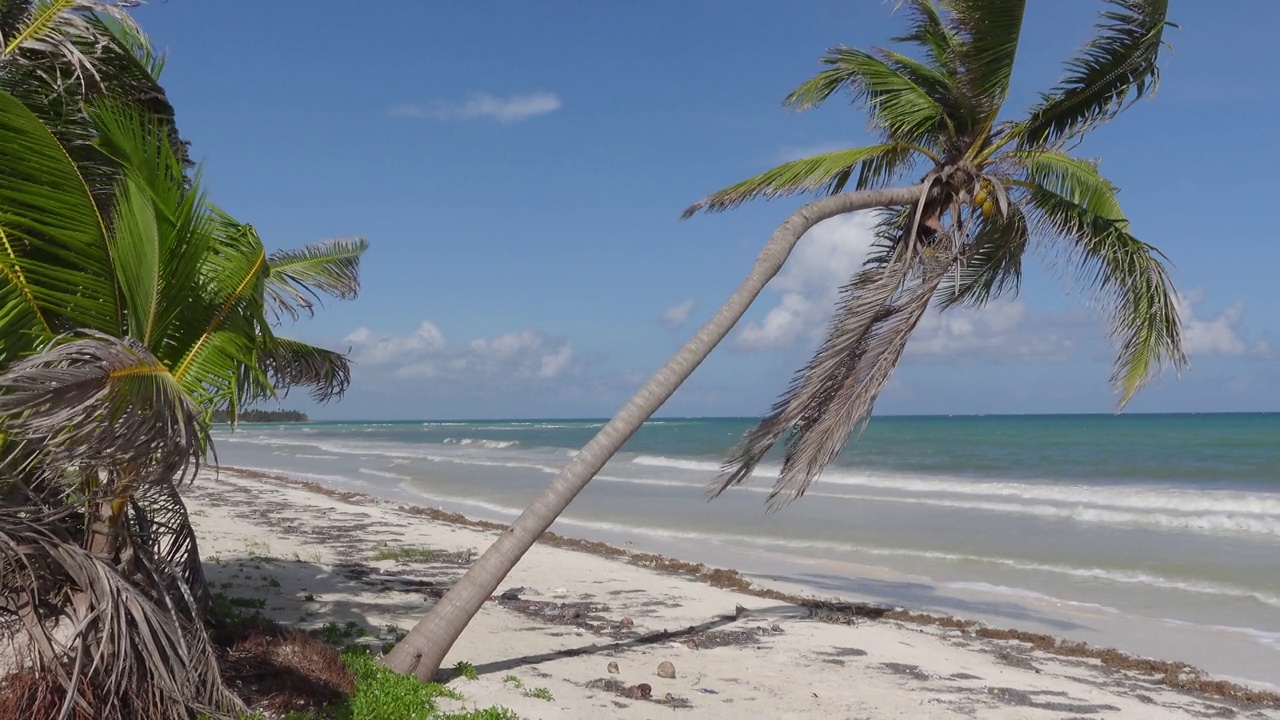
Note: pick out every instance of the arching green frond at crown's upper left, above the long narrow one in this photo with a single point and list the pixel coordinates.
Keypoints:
(904, 111)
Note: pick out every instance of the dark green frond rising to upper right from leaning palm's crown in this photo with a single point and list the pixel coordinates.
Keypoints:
(1117, 69)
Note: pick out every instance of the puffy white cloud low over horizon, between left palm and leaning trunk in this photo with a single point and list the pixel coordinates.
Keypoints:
(427, 354)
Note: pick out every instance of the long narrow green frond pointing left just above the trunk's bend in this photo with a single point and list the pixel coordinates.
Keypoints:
(826, 174)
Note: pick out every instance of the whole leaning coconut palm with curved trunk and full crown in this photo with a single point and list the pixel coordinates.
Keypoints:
(990, 188)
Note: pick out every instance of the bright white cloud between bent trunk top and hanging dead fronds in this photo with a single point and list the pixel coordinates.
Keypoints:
(826, 258)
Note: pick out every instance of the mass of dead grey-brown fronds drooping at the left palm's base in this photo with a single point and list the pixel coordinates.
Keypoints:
(120, 648)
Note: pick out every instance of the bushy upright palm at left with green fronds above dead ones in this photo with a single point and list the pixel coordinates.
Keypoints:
(129, 315)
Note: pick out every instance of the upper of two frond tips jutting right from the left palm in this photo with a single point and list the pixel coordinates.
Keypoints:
(296, 279)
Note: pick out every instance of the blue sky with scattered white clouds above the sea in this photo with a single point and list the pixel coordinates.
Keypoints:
(520, 170)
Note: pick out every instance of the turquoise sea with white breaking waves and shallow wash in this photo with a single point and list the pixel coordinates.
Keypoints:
(1158, 535)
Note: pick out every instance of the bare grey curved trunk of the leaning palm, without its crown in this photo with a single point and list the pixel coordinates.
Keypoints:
(424, 649)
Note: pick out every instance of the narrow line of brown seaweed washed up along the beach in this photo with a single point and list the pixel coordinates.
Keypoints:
(1173, 676)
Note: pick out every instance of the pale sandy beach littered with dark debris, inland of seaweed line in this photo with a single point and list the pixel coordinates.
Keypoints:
(574, 618)
